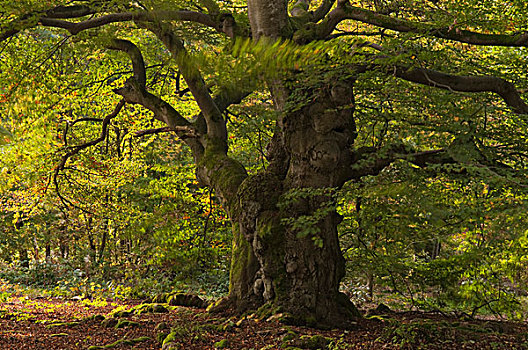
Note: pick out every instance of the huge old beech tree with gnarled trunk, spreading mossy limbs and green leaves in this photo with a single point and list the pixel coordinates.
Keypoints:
(322, 115)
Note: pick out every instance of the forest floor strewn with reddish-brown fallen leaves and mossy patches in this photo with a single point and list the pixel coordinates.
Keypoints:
(48, 324)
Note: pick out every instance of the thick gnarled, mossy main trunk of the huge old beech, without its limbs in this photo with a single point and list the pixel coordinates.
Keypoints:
(273, 262)
